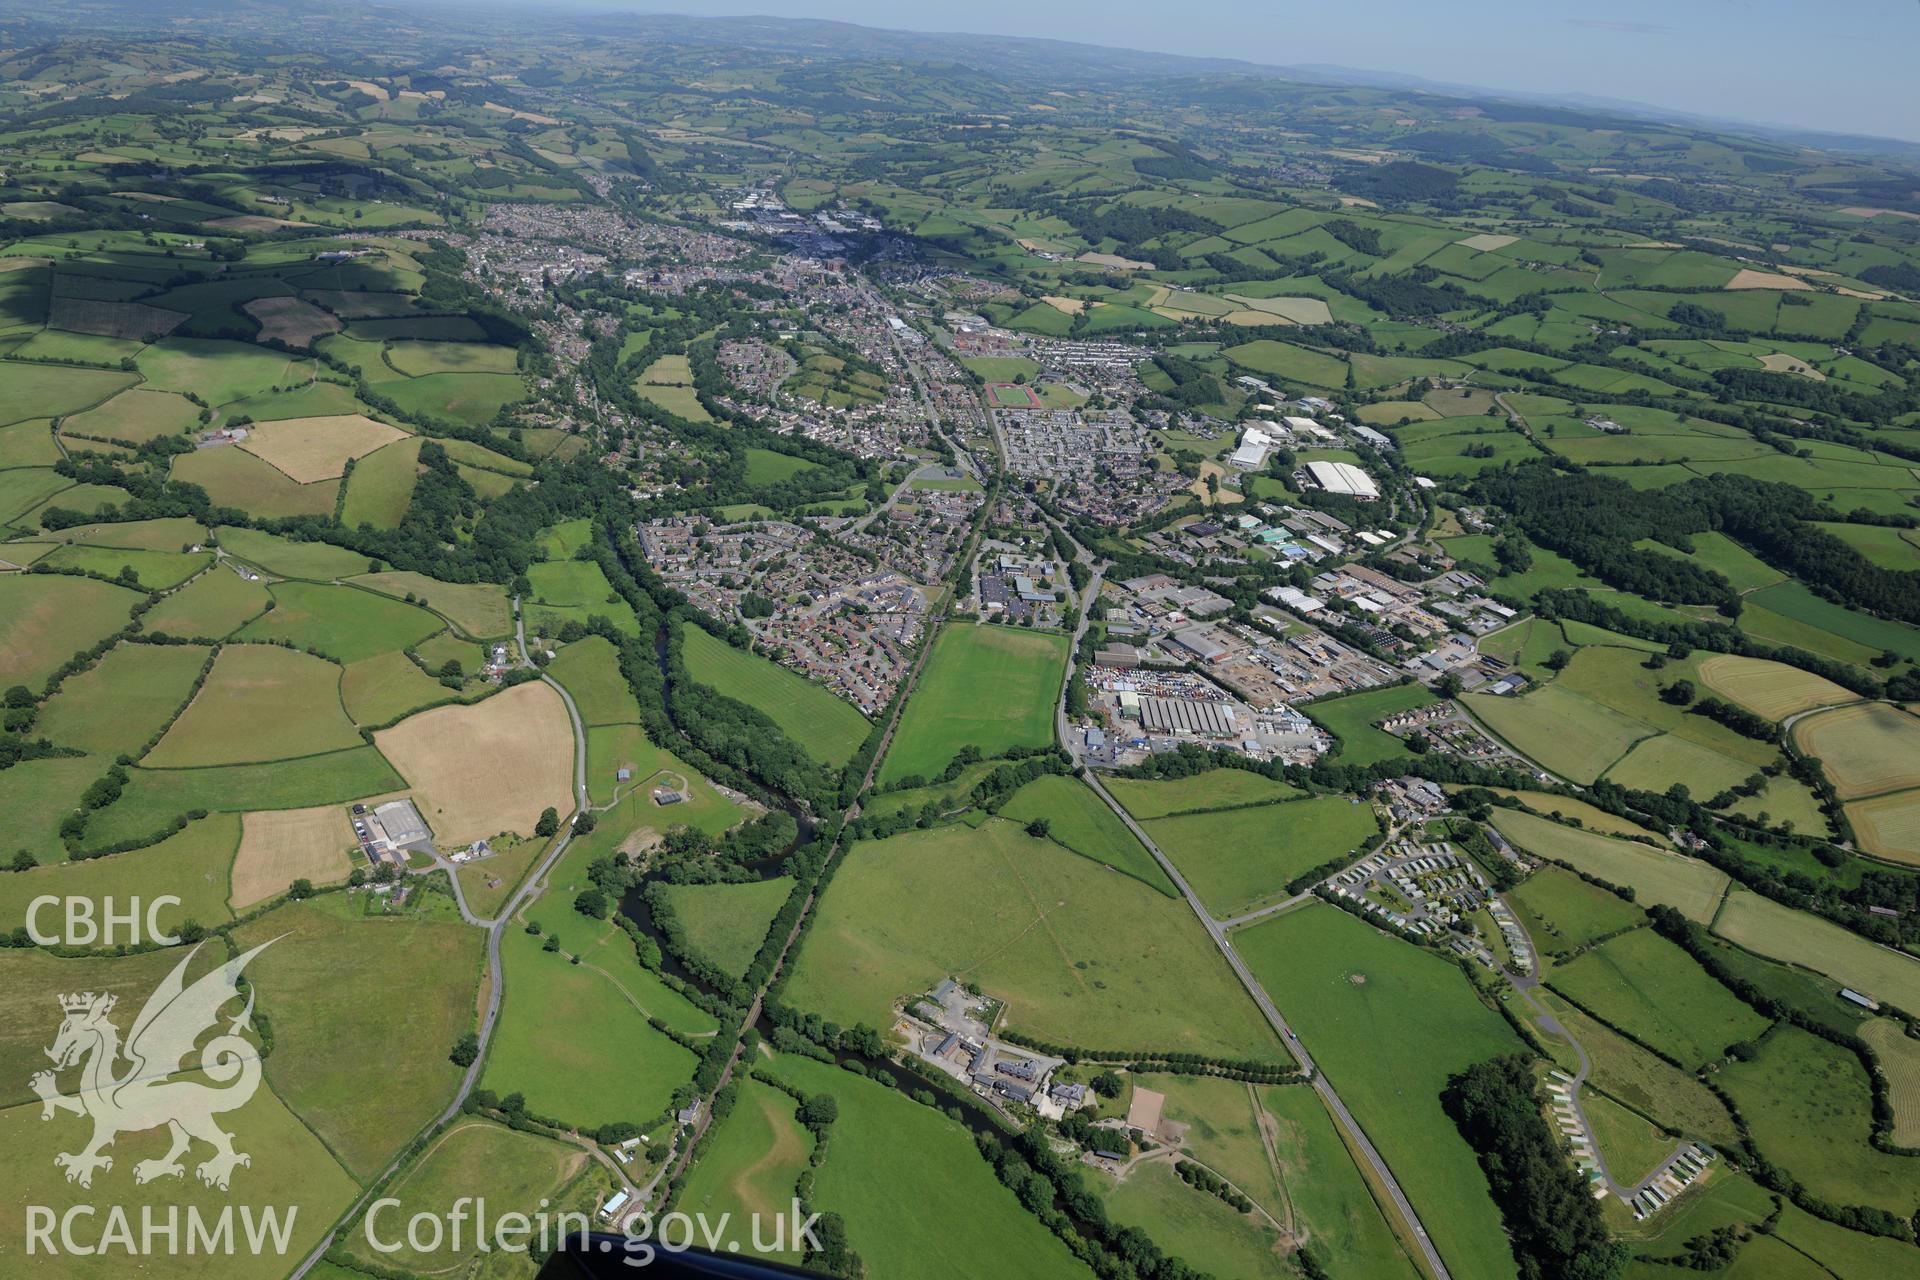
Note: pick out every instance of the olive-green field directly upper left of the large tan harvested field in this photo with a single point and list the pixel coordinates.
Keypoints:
(260, 703)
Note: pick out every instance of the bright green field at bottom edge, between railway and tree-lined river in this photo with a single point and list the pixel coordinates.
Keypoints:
(901, 1175)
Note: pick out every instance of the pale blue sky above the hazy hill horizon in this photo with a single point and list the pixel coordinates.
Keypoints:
(1836, 64)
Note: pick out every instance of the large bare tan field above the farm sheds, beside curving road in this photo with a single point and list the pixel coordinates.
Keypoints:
(487, 769)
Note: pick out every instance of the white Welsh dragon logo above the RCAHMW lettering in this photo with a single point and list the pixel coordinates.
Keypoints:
(153, 1087)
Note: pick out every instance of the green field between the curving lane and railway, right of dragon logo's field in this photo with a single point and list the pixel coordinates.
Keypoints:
(567, 1031)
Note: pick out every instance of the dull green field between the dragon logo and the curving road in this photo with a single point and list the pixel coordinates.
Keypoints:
(370, 1102)
